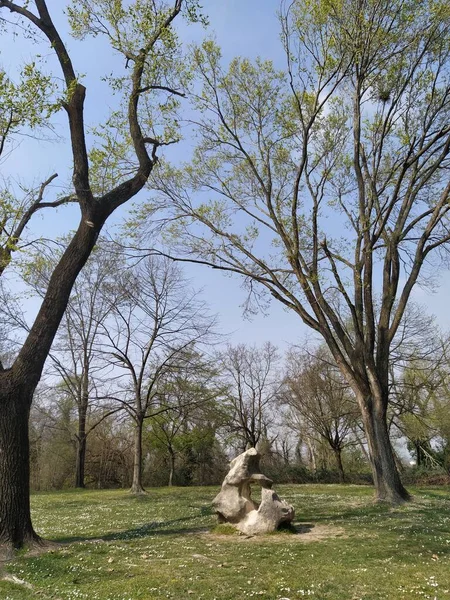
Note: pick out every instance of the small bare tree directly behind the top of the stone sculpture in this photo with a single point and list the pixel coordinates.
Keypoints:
(250, 376)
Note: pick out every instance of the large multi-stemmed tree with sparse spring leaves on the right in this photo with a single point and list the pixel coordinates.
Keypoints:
(357, 129)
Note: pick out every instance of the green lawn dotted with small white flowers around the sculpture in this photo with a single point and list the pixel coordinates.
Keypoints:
(117, 547)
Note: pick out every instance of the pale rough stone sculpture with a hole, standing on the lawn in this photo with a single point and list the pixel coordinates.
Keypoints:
(234, 502)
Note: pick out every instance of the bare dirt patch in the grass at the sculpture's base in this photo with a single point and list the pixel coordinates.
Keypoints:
(304, 534)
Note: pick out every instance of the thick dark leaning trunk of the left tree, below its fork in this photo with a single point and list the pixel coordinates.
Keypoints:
(17, 386)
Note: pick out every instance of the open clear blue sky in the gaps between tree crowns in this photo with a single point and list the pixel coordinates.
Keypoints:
(241, 27)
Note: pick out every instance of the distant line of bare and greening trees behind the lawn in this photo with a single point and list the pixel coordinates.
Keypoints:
(140, 390)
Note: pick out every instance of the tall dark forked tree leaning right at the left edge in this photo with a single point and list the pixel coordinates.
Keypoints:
(142, 34)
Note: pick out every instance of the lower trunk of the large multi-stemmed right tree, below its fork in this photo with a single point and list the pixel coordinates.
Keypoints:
(388, 485)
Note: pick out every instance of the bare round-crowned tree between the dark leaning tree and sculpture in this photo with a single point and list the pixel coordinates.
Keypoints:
(155, 323)
